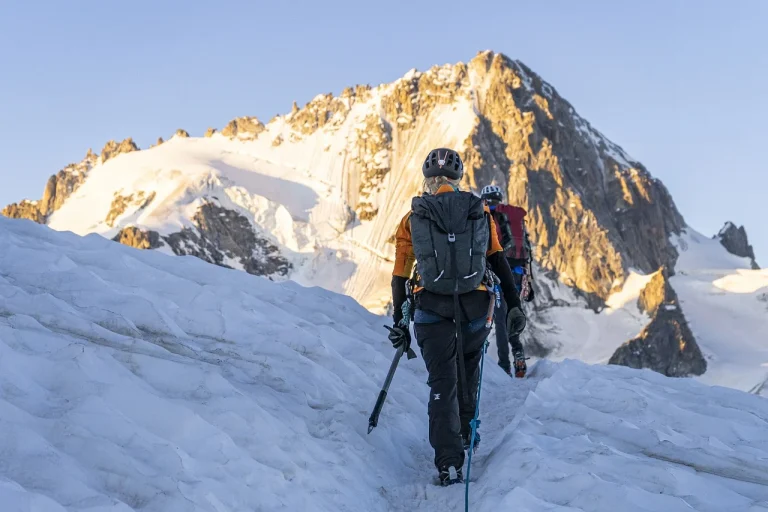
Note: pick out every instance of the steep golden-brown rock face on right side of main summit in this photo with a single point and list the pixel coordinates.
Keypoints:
(593, 212)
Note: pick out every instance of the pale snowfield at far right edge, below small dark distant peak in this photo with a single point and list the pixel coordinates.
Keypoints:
(726, 304)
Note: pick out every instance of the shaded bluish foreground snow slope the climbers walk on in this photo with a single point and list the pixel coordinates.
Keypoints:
(131, 380)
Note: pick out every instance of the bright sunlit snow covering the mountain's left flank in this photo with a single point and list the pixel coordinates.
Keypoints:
(302, 213)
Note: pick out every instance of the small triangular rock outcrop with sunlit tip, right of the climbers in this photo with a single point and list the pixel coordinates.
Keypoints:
(666, 345)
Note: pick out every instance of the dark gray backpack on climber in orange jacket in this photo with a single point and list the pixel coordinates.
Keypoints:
(450, 236)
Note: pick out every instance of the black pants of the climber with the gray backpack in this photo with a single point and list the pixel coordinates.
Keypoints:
(448, 417)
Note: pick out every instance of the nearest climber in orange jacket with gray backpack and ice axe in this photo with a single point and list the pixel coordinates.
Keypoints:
(460, 269)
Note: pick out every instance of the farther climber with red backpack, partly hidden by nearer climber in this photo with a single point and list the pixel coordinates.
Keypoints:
(513, 236)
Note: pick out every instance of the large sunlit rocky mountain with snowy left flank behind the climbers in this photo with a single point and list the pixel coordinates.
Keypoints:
(314, 195)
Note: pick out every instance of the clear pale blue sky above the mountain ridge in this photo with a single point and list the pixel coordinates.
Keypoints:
(682, 85)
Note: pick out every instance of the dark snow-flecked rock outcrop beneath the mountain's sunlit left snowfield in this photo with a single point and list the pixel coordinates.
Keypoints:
(224, 236)
